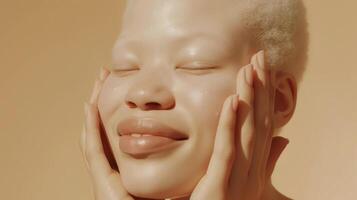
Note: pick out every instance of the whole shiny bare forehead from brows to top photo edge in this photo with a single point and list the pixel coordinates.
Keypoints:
(166, 25)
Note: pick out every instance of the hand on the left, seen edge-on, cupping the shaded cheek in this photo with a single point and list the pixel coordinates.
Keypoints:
(106, 181)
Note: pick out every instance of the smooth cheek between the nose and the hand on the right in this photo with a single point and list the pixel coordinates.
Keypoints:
(201, 100)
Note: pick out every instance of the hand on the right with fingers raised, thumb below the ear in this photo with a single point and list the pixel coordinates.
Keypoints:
(245, 151)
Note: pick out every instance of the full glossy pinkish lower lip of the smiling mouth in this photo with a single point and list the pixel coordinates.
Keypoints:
(145, 144)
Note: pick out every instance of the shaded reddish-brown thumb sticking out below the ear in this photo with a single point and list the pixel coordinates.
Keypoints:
(278, 144)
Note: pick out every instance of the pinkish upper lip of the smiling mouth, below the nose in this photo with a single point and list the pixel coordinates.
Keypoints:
(149, 126)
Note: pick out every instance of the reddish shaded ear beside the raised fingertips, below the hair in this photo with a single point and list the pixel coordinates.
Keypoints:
(285, 89)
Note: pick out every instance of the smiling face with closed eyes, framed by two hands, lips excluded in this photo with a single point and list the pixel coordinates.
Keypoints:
(175, 62)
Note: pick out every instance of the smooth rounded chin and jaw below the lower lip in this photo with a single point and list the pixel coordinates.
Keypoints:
(168, 174)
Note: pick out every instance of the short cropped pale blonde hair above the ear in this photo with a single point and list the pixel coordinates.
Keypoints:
(280, 28)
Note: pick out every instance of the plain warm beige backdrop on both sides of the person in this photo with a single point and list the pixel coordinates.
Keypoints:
(50, 54)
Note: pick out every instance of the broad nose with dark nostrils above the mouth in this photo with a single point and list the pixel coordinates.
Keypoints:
(151, 93)
